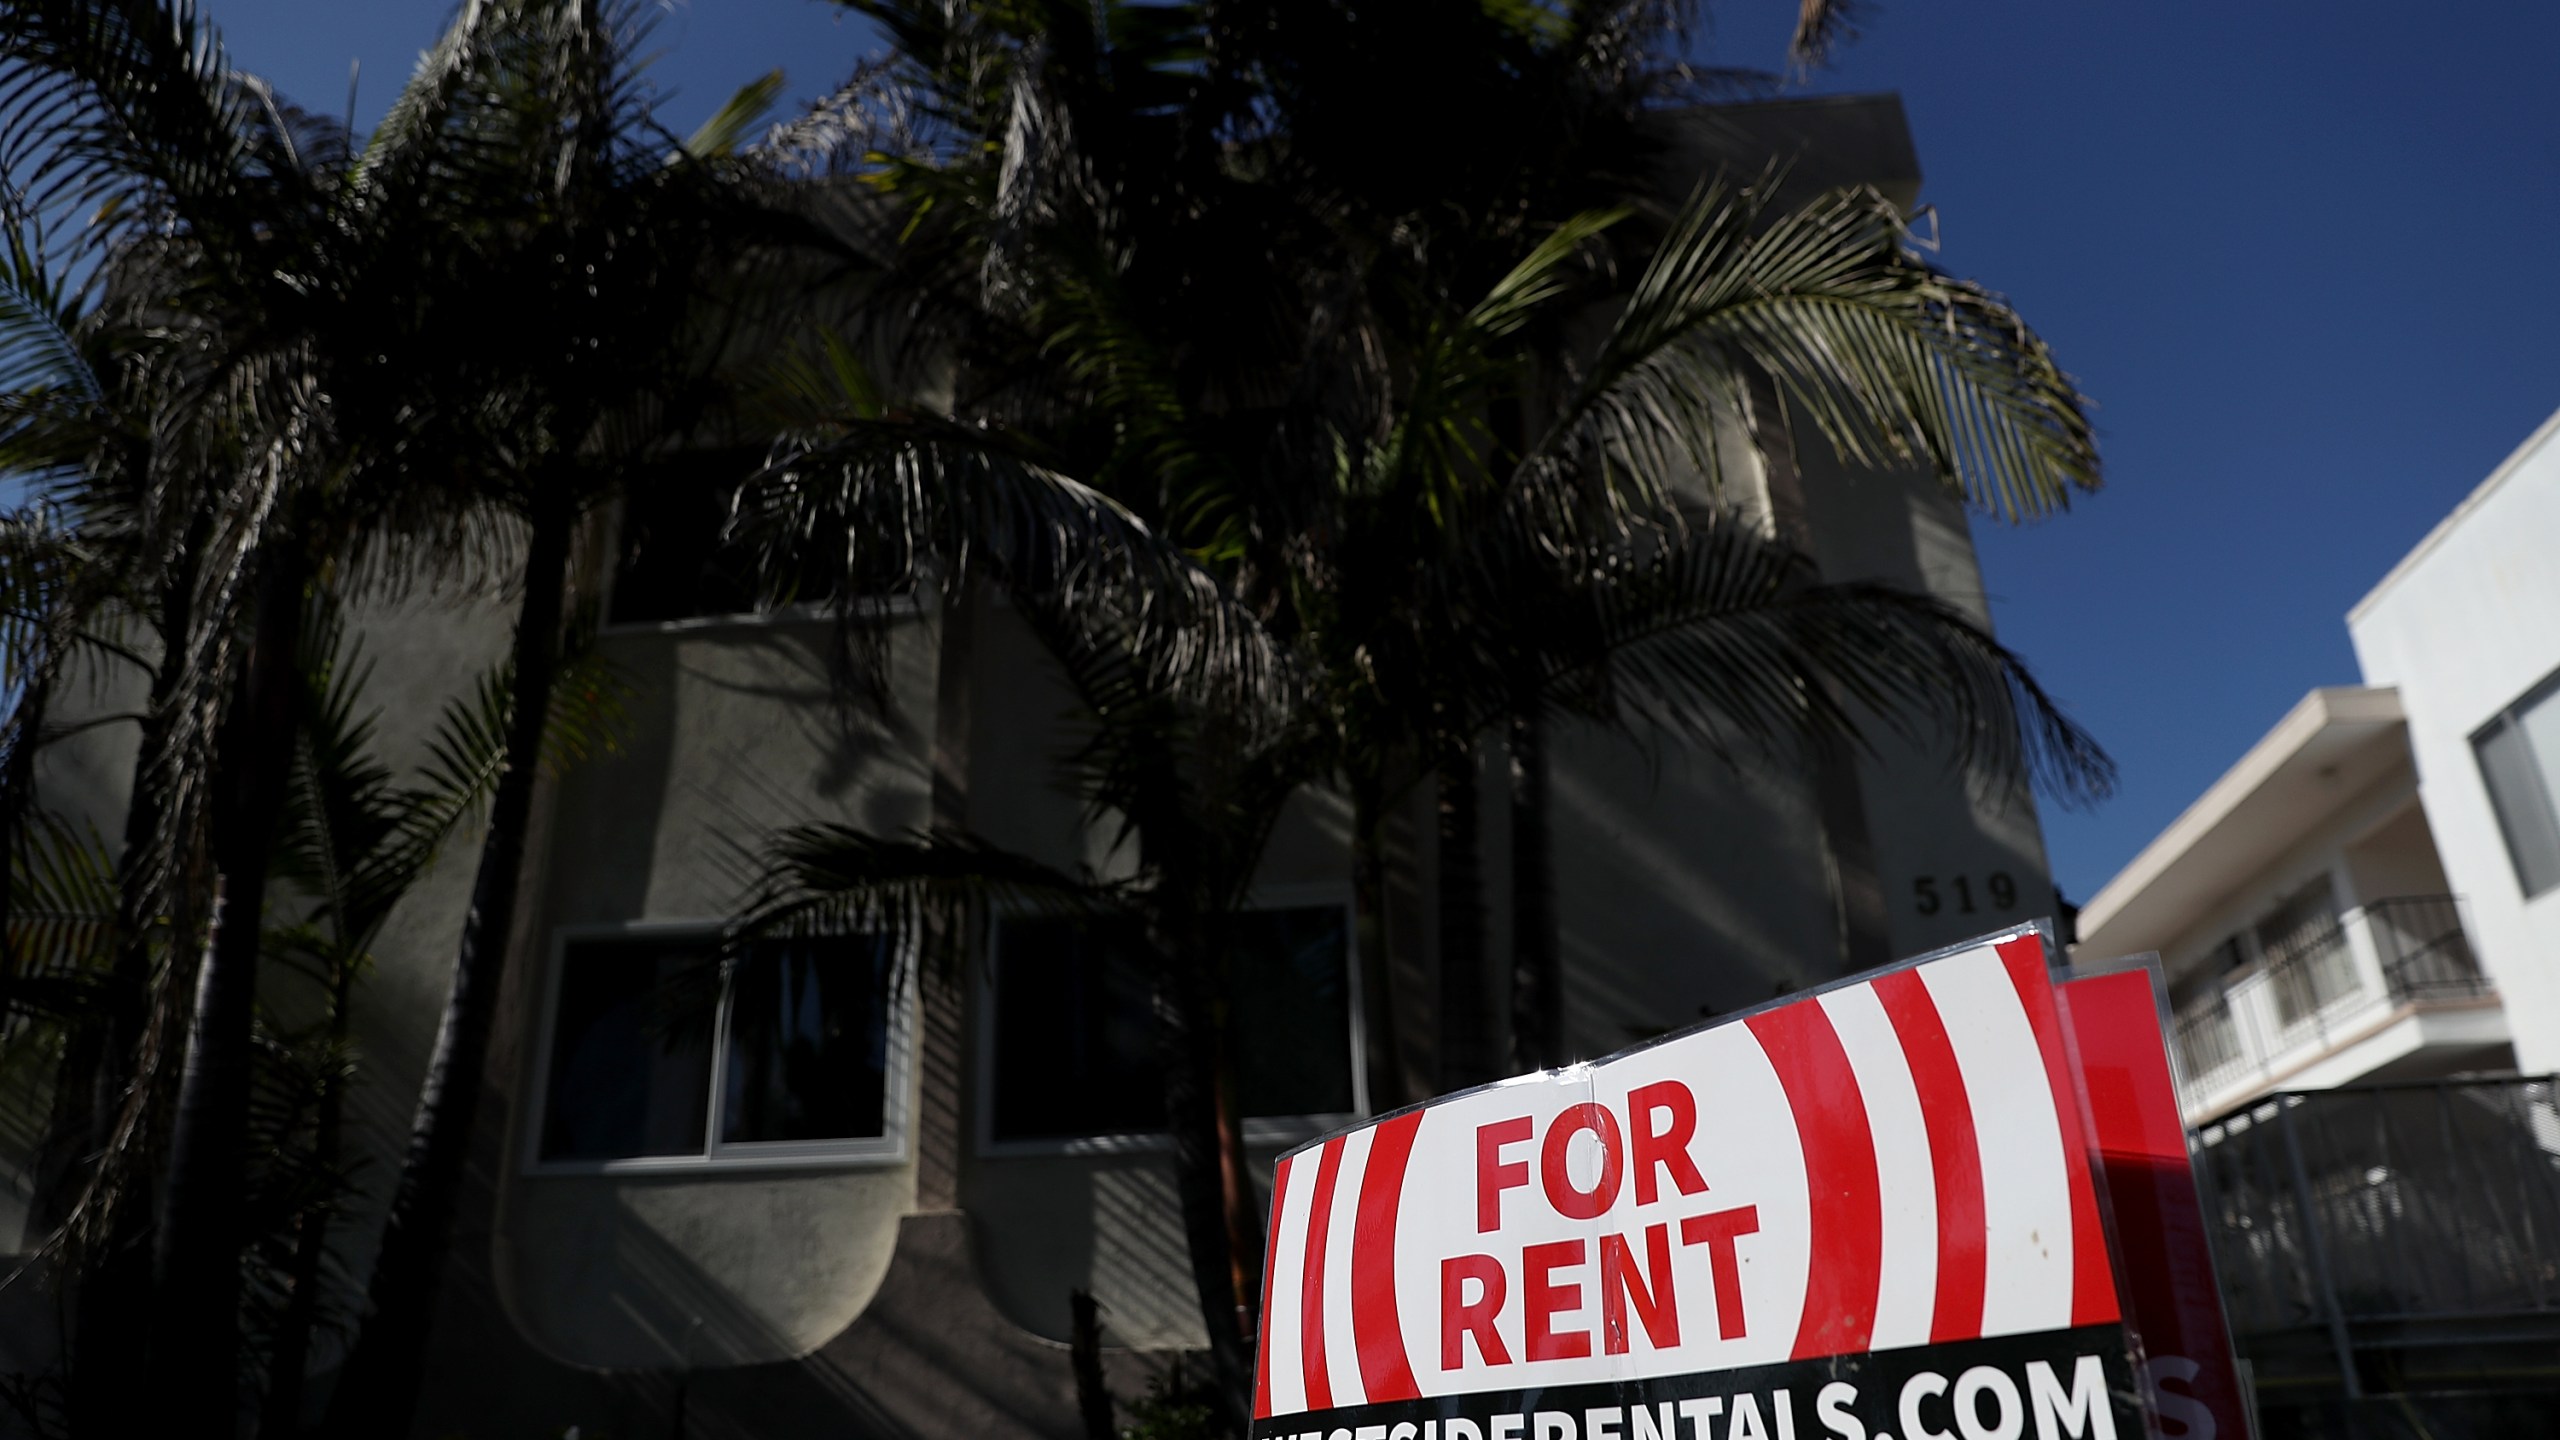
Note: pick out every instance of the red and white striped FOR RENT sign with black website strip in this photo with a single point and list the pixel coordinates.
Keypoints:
(1857, 1216)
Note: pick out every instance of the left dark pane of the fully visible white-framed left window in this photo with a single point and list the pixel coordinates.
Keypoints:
(631, 1049)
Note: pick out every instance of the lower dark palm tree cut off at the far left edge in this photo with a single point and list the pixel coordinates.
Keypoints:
(119, 527)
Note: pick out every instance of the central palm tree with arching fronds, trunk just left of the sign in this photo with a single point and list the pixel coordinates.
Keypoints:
(1389, 629)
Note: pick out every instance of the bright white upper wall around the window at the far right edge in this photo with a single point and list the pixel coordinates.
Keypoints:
(2461, 629)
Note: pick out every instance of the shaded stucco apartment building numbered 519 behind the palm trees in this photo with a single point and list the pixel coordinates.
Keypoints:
(841, 1208)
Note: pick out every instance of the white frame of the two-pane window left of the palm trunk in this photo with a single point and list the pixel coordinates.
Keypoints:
(859, 1152)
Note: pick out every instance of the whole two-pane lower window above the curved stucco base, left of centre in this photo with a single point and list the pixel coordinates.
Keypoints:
(664, 1057)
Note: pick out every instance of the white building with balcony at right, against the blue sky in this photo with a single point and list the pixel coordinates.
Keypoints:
(2374, 890)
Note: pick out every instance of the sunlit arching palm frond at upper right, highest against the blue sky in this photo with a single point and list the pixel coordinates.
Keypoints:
(1888, 357)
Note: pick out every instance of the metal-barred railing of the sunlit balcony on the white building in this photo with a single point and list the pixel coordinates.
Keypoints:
(2321, 983)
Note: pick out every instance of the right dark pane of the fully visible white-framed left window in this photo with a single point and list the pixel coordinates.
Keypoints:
(808, 1042)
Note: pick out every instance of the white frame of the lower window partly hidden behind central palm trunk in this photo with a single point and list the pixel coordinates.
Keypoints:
(1271, 1131)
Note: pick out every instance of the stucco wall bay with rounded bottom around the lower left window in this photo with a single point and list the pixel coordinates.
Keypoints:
(733, 734)
